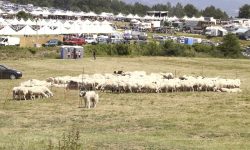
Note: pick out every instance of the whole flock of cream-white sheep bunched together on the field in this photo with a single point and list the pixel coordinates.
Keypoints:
(126, 82)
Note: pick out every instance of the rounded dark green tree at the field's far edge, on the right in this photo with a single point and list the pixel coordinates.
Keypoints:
(230, 46)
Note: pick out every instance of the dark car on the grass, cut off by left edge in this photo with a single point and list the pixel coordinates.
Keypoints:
(7, 73)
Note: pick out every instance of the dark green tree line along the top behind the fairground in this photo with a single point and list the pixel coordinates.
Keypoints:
(118, 6)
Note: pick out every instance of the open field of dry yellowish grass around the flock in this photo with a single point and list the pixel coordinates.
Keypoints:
(129, 121)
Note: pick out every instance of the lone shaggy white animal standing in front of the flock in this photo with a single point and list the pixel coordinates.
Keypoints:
(91, 98)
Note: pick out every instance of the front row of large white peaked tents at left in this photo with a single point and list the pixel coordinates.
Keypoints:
(47, 27)
